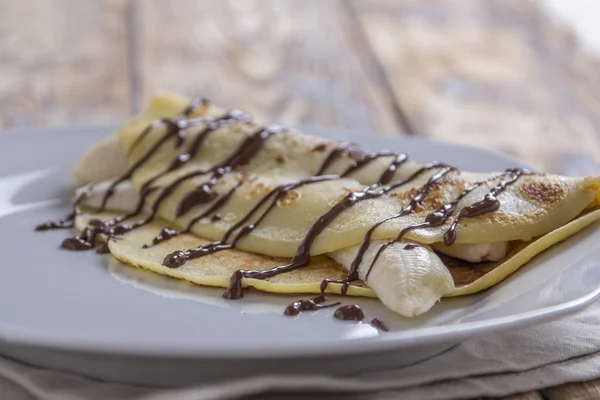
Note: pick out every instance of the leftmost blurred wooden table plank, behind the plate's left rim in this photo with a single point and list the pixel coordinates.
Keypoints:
(62, 62)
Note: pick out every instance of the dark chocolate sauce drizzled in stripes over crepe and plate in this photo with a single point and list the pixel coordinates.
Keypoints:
(175, 128)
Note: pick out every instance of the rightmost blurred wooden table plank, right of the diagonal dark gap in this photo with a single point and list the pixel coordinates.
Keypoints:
(496, 74)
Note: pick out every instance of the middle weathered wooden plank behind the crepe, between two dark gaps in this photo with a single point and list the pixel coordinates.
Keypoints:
(285, 61)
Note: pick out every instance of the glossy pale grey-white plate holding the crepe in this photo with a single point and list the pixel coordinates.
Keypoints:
(70, 310)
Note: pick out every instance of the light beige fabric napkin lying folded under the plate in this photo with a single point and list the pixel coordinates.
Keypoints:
(535, 357)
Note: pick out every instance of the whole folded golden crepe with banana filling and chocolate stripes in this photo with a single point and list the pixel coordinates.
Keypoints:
(211, 196)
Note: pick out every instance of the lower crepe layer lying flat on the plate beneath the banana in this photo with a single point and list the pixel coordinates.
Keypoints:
(216, 269)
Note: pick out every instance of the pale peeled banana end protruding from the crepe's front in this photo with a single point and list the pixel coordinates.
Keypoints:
(407, 278)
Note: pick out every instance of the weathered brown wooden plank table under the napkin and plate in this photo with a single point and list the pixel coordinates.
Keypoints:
(496, 74)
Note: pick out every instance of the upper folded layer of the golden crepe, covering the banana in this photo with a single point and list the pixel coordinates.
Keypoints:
(531, 207)
